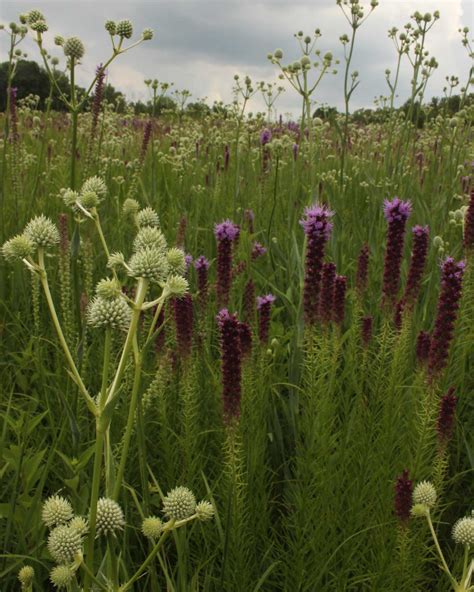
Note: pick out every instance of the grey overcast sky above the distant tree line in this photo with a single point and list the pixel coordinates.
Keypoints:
(200, 44)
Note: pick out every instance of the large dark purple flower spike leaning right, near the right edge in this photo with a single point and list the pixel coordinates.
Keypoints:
(448, 306)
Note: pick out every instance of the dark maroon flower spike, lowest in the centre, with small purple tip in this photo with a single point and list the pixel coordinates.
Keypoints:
(231, 359)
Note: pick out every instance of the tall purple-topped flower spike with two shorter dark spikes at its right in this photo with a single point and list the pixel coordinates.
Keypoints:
(317, 227)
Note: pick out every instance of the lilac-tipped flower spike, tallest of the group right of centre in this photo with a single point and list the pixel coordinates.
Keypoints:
(396, 212)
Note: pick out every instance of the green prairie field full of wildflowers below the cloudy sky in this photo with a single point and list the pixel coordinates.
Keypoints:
(236, 348)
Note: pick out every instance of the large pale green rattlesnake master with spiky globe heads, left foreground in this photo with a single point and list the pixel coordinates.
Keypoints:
(155, 270)
